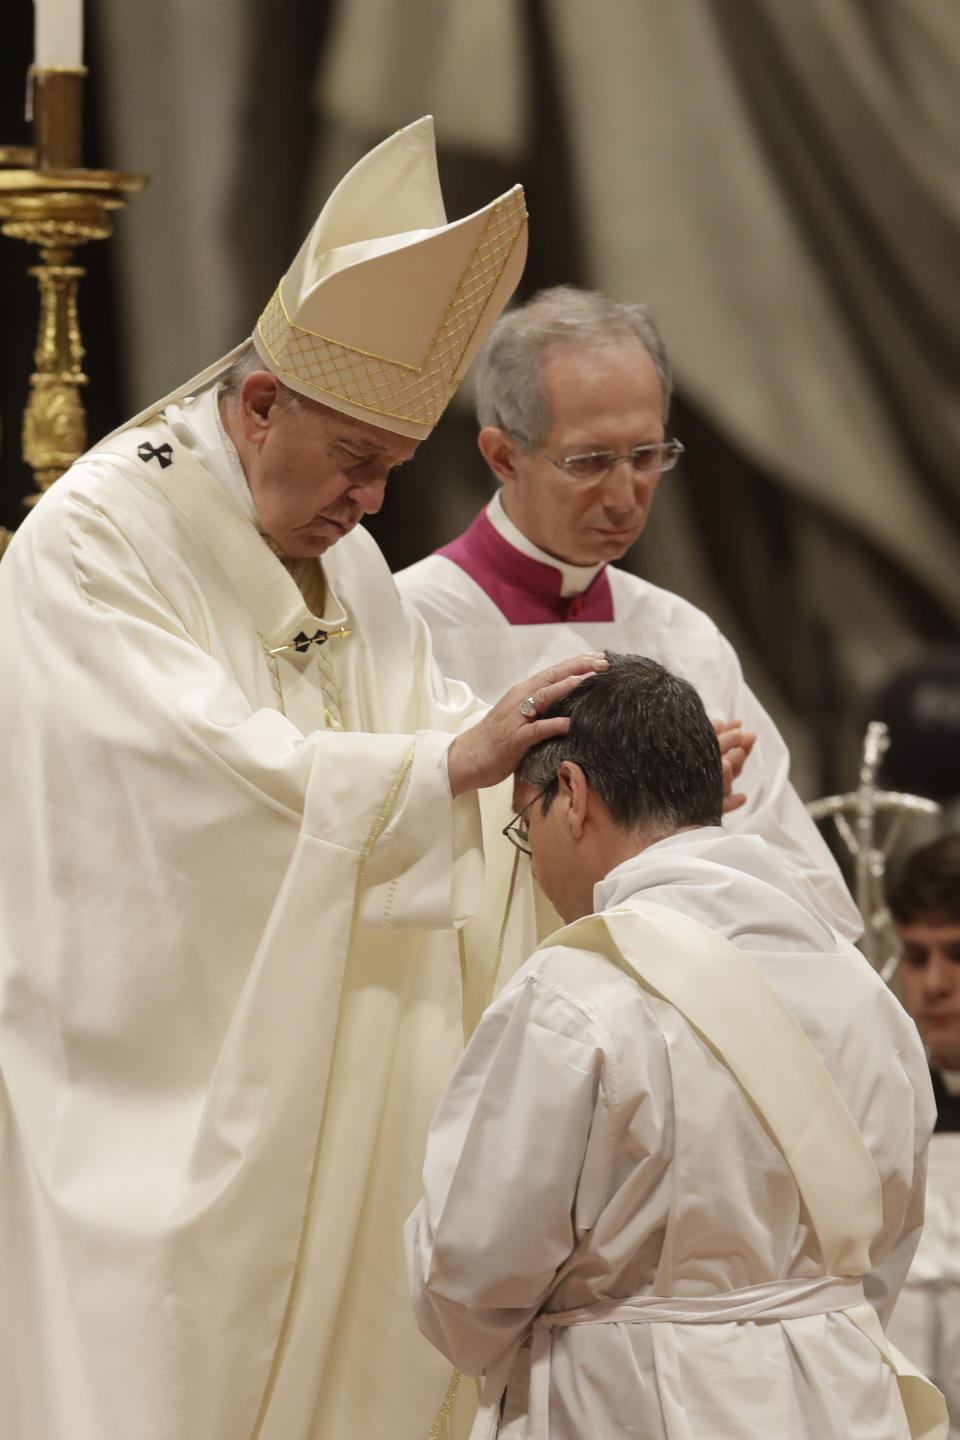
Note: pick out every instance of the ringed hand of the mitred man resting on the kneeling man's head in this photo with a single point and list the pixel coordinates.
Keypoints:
(493, 750)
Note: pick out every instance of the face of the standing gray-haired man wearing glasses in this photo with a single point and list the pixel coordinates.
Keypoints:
(601, 401)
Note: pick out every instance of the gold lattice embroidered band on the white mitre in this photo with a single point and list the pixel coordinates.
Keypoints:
(385, 387)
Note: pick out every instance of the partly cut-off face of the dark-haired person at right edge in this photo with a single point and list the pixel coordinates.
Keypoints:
(930, 986)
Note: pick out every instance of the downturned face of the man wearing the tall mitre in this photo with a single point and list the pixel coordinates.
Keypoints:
(314, 474)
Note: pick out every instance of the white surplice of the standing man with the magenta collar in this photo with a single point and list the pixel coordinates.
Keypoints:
(476, 643)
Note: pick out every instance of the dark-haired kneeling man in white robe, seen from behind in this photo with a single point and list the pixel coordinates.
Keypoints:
(679, 1174)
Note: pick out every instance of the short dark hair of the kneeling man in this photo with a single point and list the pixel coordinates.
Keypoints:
(646, 744)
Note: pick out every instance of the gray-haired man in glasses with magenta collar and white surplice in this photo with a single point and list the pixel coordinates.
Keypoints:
(574, 395)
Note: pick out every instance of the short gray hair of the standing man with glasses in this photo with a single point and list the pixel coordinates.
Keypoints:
(509, 369)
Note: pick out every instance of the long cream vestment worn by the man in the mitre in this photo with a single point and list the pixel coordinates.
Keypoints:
(230, 978)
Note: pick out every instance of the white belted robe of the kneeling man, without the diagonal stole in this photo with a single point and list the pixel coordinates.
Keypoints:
(592, 1148)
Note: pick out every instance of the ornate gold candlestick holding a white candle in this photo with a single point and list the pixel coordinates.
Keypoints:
(50, 201)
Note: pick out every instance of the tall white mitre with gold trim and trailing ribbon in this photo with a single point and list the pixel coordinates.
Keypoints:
(386, 305)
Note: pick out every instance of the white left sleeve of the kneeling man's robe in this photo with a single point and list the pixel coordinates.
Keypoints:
(499, 1215)
